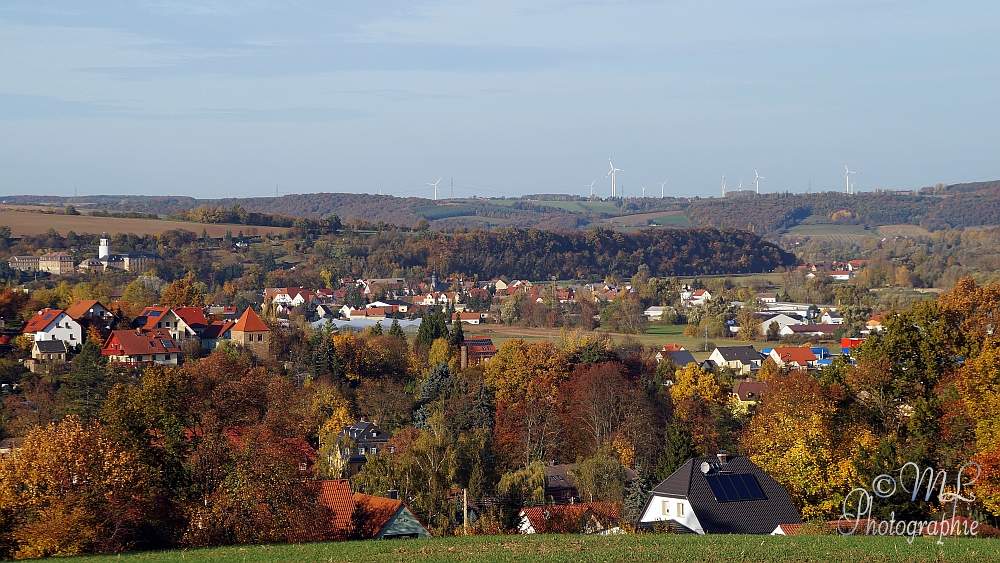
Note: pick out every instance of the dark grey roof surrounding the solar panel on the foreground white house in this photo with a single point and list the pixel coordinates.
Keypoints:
(734, 517)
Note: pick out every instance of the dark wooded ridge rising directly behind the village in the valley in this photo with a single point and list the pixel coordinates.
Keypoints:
(539, 255)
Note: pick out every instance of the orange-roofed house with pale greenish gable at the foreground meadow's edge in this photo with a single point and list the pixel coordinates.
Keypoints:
(385, 518)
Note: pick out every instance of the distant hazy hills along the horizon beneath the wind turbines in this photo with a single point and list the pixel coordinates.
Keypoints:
(933, 208)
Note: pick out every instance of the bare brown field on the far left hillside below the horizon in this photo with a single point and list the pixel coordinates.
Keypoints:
(24, 223)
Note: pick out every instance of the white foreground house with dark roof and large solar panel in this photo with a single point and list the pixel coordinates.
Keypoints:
(719, 495)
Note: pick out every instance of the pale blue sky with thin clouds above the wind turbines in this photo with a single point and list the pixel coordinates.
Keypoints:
(249, 98)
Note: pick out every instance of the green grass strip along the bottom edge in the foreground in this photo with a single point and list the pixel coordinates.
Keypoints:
(626, 548)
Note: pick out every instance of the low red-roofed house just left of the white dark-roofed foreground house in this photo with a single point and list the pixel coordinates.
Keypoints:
(583, 518)
